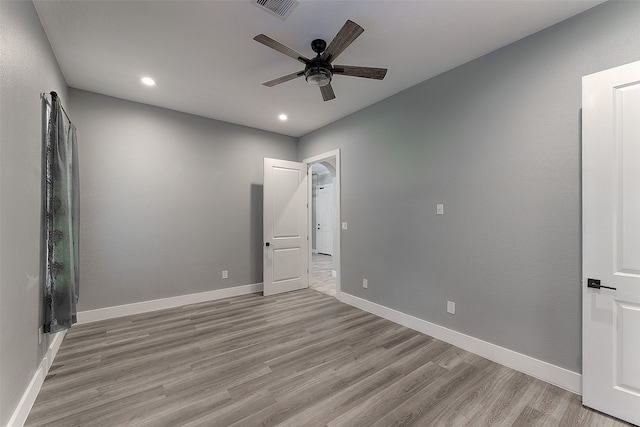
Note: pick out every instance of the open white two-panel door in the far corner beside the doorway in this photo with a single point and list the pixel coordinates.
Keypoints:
(285, 226)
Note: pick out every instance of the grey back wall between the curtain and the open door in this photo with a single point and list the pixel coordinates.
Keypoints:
(168, 200)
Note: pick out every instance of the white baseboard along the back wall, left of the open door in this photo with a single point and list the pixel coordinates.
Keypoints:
(161, 304)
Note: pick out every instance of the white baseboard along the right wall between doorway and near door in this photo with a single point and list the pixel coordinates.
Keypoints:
(544, 371)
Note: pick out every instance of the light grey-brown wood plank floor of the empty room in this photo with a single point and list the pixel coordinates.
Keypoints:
(297, 359)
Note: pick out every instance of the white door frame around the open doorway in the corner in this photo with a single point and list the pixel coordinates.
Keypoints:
(334, 154)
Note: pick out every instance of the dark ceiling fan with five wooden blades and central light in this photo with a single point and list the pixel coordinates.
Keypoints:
(319, 71)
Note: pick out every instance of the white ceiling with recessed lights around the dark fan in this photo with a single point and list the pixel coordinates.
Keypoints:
(205, 61)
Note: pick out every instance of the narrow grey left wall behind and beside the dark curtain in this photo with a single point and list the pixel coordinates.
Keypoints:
(27, 68)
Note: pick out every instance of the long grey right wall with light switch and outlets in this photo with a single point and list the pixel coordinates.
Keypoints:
(497, 141)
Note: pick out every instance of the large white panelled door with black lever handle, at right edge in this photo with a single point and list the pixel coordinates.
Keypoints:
(611, 241)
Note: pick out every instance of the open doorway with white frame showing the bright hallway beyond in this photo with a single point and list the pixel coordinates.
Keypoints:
(324, 223)
